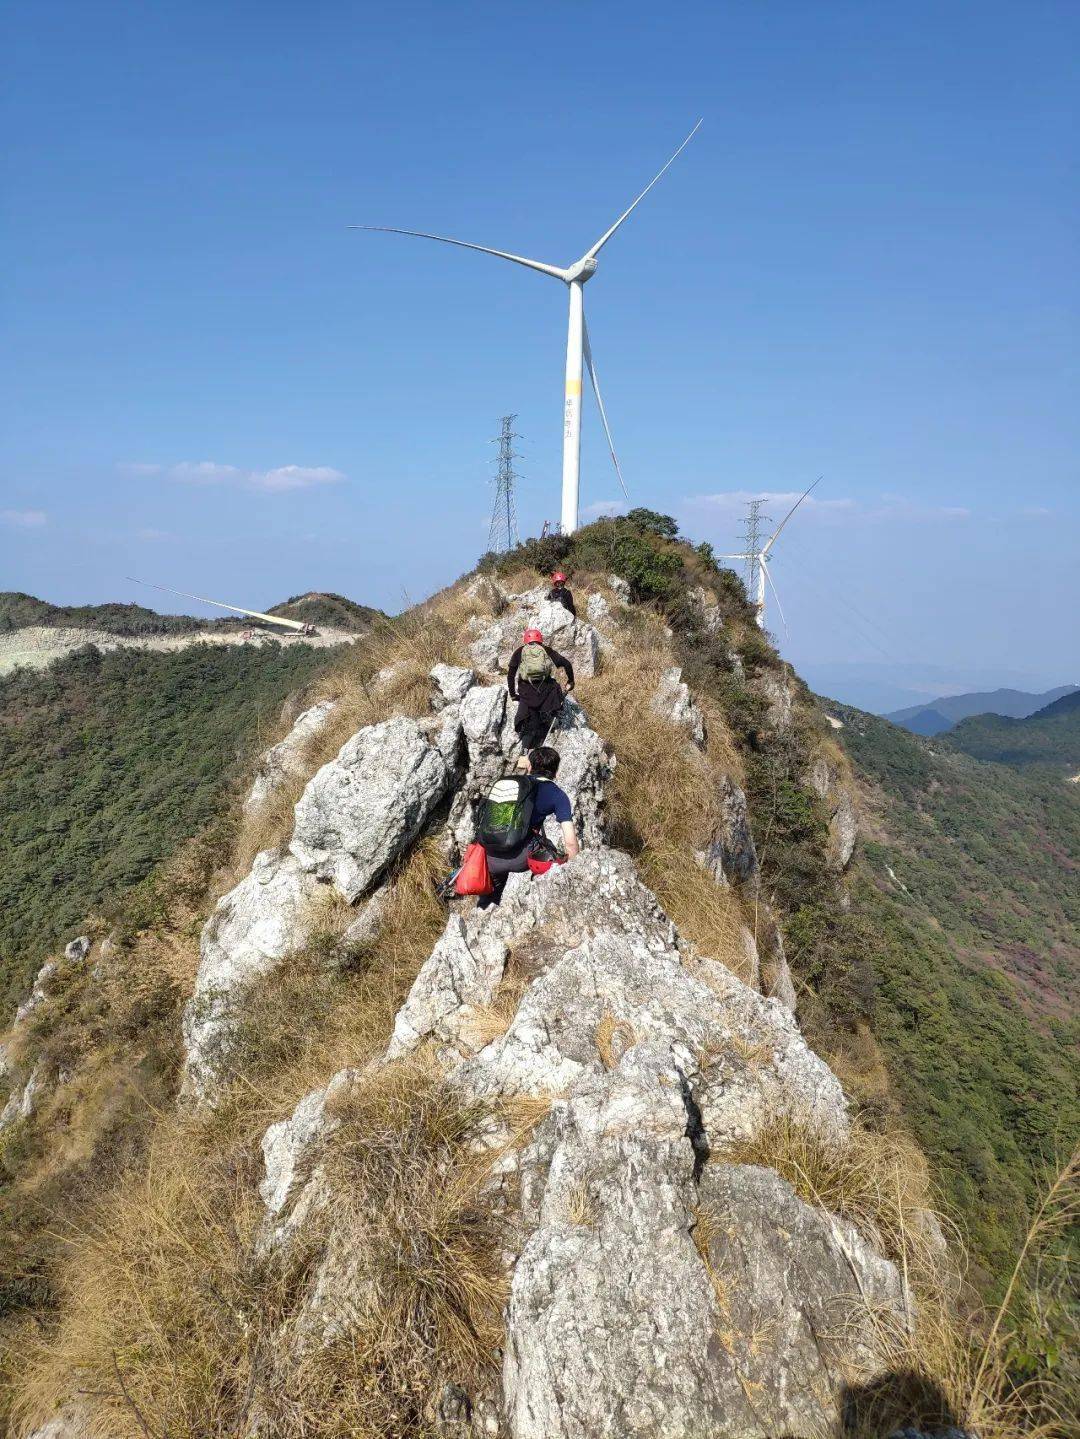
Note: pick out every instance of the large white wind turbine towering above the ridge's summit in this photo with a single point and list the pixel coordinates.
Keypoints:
(575, 278)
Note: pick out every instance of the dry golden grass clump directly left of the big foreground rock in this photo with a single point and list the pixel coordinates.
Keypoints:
(411, 1215)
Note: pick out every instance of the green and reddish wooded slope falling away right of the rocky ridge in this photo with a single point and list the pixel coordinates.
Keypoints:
(979, 965)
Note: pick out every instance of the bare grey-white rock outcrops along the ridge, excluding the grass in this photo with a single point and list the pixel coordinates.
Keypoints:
(655, 1287)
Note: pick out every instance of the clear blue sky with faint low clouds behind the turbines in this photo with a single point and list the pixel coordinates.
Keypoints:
(864, 267)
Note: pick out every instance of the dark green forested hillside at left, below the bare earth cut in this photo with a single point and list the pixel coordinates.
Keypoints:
(109, 762)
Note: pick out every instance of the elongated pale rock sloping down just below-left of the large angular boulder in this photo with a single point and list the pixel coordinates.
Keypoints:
(261, 922)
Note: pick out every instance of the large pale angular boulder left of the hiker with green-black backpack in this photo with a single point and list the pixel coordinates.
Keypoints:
(363, 809)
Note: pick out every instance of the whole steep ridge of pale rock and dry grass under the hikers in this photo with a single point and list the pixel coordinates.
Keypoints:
(546, 1175)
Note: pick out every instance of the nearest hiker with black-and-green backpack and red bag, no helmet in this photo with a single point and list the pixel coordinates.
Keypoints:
(511, 825)
